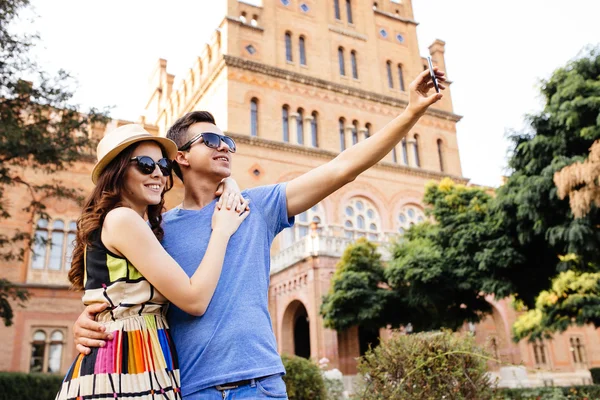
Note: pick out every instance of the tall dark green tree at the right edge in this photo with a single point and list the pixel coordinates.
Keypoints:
(540, 224)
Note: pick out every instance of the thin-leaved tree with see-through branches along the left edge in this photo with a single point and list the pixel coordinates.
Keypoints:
(40, 129)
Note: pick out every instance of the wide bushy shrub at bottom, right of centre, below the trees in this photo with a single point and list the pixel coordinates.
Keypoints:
(425, 366)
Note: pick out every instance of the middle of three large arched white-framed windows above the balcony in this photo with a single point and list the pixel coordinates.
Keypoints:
(361, 219)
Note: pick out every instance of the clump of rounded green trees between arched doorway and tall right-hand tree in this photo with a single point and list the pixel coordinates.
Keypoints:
(433, 279)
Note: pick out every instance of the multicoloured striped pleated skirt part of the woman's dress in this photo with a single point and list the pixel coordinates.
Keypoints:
(139, 363)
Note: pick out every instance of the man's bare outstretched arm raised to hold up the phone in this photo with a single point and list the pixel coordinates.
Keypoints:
(307, 190)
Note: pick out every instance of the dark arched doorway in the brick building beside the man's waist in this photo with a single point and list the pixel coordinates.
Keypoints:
(296, 330)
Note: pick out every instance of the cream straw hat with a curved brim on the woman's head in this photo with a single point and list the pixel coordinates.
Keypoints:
(117, 140)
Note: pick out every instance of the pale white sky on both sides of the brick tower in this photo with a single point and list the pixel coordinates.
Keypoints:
(496, 53)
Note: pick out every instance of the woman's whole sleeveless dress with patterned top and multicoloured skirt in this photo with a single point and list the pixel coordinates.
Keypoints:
(140, 362)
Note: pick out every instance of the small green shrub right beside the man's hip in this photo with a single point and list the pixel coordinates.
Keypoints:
(303, 379)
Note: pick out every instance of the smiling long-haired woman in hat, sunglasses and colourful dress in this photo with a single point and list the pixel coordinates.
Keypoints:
(118, 260)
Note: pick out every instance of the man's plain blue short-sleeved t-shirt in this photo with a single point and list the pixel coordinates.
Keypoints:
(234, 339)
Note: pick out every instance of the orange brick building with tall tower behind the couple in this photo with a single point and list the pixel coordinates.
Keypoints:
(294, 82)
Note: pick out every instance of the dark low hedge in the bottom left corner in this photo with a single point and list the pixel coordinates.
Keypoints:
(20, 386)
